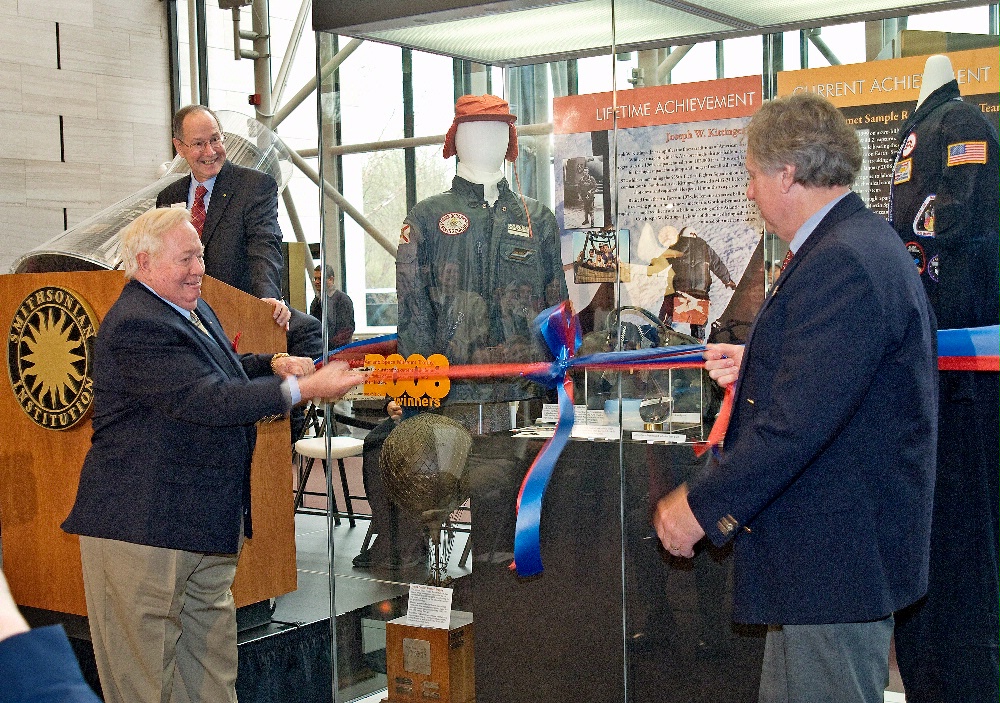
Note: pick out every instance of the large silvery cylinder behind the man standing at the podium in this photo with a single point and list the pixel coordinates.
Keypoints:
(92, 245)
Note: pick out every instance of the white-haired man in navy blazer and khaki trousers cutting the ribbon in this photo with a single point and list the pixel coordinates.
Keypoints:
(164, 497)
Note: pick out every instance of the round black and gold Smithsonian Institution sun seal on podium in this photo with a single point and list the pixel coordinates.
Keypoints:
(49, 357)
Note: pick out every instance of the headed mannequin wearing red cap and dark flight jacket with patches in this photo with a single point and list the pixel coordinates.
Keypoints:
(479, 259)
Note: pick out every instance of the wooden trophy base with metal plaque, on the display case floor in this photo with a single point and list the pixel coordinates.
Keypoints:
(431, 664)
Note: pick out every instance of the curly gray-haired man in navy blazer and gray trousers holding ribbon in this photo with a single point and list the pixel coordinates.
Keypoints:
(826, 478)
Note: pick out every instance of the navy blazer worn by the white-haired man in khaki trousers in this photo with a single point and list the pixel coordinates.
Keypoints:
(174, 414)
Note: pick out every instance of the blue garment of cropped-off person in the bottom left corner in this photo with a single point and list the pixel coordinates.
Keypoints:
(39, 667)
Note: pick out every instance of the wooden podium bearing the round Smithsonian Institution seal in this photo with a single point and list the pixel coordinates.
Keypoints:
(40, 466)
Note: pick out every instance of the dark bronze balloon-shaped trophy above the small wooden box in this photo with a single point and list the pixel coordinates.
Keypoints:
(423, 464)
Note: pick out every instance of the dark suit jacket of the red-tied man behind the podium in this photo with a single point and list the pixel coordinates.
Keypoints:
(241, 235)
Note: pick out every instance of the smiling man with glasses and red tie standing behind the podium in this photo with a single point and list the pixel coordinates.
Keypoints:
(240, 228)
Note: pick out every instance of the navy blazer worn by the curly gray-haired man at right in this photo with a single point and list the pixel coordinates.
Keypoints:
(827, 474)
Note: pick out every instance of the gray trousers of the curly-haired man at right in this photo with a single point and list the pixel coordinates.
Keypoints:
(835, 663)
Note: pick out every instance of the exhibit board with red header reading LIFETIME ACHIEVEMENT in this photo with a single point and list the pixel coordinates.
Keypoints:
(685, 229)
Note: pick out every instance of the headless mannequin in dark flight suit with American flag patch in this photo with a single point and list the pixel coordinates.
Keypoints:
(946, 207)
